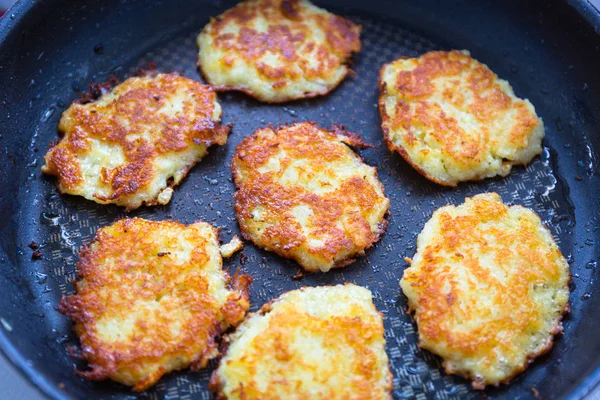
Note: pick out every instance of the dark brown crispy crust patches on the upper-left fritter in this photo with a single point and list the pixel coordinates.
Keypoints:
(135, 108)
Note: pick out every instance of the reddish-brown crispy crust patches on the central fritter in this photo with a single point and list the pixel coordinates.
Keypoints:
(283, 235)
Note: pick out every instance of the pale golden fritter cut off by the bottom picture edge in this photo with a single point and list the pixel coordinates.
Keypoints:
(314, 343)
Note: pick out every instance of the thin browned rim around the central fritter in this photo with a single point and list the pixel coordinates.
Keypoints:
(351, 140)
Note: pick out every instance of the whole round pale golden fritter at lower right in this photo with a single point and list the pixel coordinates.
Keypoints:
(488, 287)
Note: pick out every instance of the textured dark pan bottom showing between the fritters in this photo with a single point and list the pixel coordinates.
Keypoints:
(206, 194)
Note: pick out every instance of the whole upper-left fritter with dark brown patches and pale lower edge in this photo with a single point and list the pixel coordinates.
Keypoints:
(130, 146)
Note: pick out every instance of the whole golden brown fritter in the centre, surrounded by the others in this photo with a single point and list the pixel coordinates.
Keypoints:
(304, 194)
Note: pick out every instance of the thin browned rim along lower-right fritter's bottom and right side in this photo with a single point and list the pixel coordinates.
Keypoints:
(558, 330)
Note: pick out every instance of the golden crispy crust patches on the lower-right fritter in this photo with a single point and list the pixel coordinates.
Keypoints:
(437, 307)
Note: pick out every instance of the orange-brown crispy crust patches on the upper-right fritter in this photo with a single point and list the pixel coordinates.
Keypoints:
(416, 86)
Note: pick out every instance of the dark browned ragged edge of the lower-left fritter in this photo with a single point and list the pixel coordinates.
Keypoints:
(70, 307)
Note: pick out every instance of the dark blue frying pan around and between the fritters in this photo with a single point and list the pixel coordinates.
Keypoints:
(51, 50)
